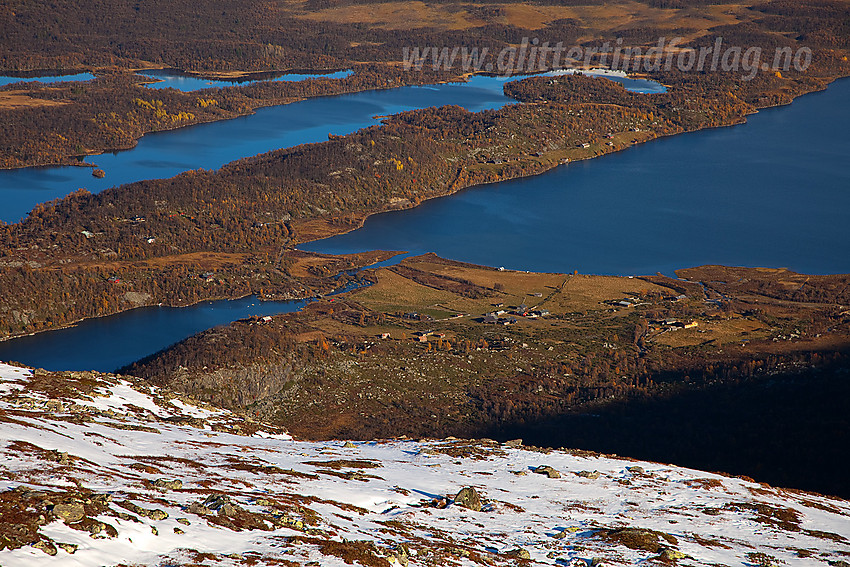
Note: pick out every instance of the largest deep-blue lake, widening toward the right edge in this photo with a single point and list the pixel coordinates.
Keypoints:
(773, 192)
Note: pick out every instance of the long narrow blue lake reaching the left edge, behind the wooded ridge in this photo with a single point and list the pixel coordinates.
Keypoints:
(209, 146)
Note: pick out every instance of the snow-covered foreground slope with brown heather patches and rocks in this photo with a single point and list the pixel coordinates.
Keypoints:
(99, 470)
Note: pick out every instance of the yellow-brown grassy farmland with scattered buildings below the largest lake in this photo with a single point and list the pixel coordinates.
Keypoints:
(583, 310)
